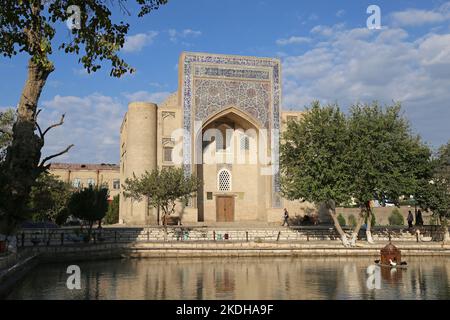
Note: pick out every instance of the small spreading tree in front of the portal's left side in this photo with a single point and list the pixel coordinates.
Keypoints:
(163, 188)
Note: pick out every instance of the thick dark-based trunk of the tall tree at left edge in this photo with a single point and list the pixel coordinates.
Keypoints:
(23, 155)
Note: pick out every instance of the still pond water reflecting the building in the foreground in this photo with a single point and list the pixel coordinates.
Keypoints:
(239, 278)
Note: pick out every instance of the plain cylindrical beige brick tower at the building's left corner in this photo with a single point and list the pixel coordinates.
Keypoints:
(139, 154)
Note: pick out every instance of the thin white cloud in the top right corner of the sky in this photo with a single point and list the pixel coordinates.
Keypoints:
(416, 17)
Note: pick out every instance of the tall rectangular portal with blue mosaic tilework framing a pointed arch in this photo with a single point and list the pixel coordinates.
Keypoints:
(231, 94)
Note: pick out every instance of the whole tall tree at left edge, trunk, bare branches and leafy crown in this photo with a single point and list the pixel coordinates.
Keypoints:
(30, 27)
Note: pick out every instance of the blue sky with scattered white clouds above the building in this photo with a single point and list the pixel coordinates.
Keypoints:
(327, 52)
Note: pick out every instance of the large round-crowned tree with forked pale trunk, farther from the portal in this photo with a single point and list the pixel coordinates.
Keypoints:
(384, 159)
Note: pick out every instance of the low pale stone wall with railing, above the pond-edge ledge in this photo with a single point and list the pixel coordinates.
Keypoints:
(66, 236)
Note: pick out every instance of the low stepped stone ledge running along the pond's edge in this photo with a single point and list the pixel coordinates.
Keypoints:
(221, 249)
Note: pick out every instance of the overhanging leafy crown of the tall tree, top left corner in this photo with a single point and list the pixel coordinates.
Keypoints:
(30, 26)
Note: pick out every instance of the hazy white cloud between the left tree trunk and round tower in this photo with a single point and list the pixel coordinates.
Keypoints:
(92, 124)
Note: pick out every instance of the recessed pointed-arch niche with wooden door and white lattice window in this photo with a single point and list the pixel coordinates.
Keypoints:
(227, 163)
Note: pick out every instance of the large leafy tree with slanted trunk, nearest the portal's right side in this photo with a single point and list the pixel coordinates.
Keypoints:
(313, 160)
